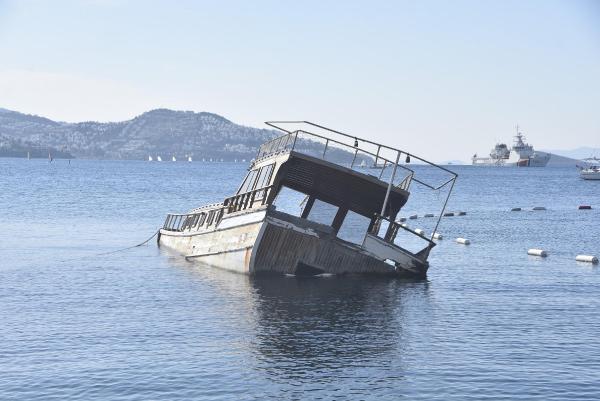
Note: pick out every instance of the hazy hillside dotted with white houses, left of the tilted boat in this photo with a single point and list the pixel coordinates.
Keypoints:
(160, 132)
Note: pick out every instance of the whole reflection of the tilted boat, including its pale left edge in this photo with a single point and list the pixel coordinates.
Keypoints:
(315, 320)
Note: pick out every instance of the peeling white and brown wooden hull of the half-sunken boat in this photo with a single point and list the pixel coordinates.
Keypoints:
(277, 243)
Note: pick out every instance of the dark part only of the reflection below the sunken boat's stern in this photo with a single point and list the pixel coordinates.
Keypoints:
(334, 319)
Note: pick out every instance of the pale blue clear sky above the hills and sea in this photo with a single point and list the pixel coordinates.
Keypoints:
(441, 79)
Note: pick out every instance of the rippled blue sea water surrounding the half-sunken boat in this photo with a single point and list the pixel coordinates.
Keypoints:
(489, 323)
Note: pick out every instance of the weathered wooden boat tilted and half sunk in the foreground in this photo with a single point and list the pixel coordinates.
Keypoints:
(305, 211)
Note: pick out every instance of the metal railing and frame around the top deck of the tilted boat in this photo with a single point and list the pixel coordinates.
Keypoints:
(383, 156)
